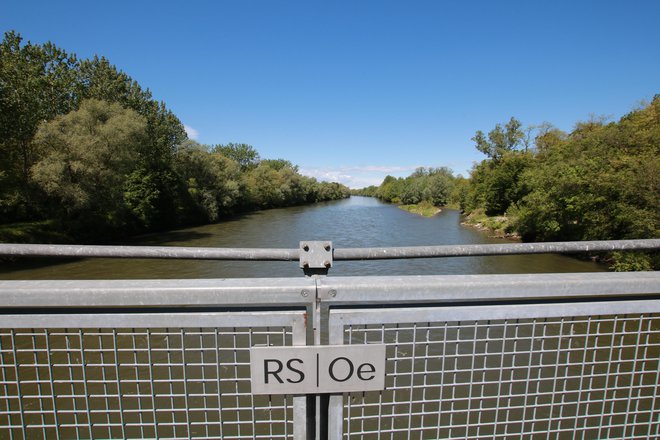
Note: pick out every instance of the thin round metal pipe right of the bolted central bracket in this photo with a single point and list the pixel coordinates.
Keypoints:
(475, 250)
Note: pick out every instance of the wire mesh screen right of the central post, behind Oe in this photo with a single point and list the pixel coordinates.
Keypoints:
(578, 377)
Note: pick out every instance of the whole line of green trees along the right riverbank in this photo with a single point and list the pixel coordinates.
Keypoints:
(597, 182)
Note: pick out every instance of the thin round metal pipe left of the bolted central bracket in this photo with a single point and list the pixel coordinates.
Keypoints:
(158, 252)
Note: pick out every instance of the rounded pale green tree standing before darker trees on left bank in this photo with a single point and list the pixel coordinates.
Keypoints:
(86, 156)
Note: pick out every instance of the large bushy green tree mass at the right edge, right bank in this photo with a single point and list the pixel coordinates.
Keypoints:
(599, 183)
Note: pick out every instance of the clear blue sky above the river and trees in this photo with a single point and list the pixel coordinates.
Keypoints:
(356, 90)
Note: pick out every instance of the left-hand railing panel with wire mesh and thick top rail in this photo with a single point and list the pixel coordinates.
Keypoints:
(146, 359)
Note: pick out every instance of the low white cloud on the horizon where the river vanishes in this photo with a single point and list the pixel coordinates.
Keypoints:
(356, 177)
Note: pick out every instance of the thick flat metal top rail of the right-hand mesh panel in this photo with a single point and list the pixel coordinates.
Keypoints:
(476, 288)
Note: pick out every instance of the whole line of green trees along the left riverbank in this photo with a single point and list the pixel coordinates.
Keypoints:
(85, 147)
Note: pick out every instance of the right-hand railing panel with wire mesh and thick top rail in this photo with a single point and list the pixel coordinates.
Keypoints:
(502, 356)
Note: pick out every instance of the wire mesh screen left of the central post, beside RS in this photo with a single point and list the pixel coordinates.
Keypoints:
(137, 383)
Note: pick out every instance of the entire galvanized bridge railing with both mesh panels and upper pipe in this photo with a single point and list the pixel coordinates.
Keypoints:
(467, 356)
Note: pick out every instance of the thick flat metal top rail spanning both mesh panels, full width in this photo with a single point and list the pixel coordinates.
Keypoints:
(335, 290)
